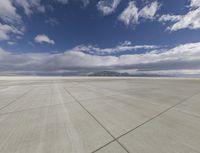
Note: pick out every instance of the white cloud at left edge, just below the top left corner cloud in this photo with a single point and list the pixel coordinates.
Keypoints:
(6, 30)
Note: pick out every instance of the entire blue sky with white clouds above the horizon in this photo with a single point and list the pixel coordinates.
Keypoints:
(76, 37)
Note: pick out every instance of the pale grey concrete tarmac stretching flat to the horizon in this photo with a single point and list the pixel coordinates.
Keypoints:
(99, 115)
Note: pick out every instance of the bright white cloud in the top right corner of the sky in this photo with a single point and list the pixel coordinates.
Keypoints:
(190, 20)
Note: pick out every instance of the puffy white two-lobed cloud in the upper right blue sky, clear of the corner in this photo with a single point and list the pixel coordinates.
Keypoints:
(132, 14)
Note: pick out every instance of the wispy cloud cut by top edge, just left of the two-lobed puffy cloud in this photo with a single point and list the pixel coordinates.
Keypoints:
(108, 6)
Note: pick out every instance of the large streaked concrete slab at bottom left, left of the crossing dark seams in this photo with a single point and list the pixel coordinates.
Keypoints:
(59, 129)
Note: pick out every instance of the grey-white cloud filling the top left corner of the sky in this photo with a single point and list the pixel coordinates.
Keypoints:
(8, 12)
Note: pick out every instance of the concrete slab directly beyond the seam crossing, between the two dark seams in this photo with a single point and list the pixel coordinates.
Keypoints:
(121, 116)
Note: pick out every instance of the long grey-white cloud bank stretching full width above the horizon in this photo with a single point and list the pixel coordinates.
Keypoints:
(179, 58)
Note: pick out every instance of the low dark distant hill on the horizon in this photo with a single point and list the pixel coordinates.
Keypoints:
(112, 73)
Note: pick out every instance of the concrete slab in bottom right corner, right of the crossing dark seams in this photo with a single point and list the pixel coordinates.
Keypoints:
(171, 132)
